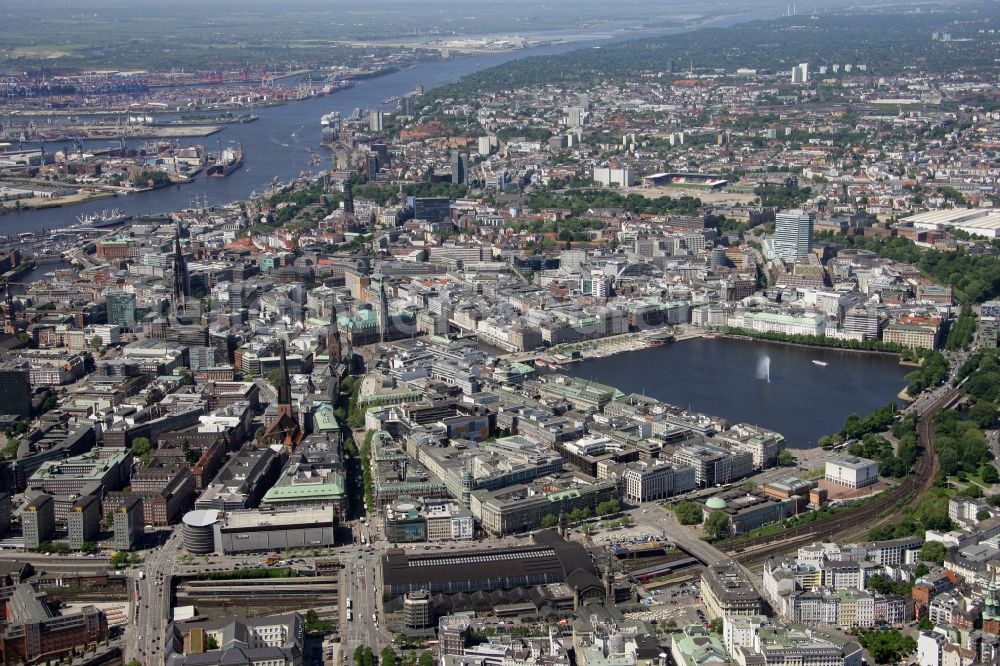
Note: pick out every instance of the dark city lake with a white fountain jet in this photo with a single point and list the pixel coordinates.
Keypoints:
(727, 378)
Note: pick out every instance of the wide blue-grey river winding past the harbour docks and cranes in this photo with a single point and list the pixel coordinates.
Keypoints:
(278, 144)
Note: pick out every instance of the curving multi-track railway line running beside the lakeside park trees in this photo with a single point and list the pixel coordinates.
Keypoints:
(881, 511)
